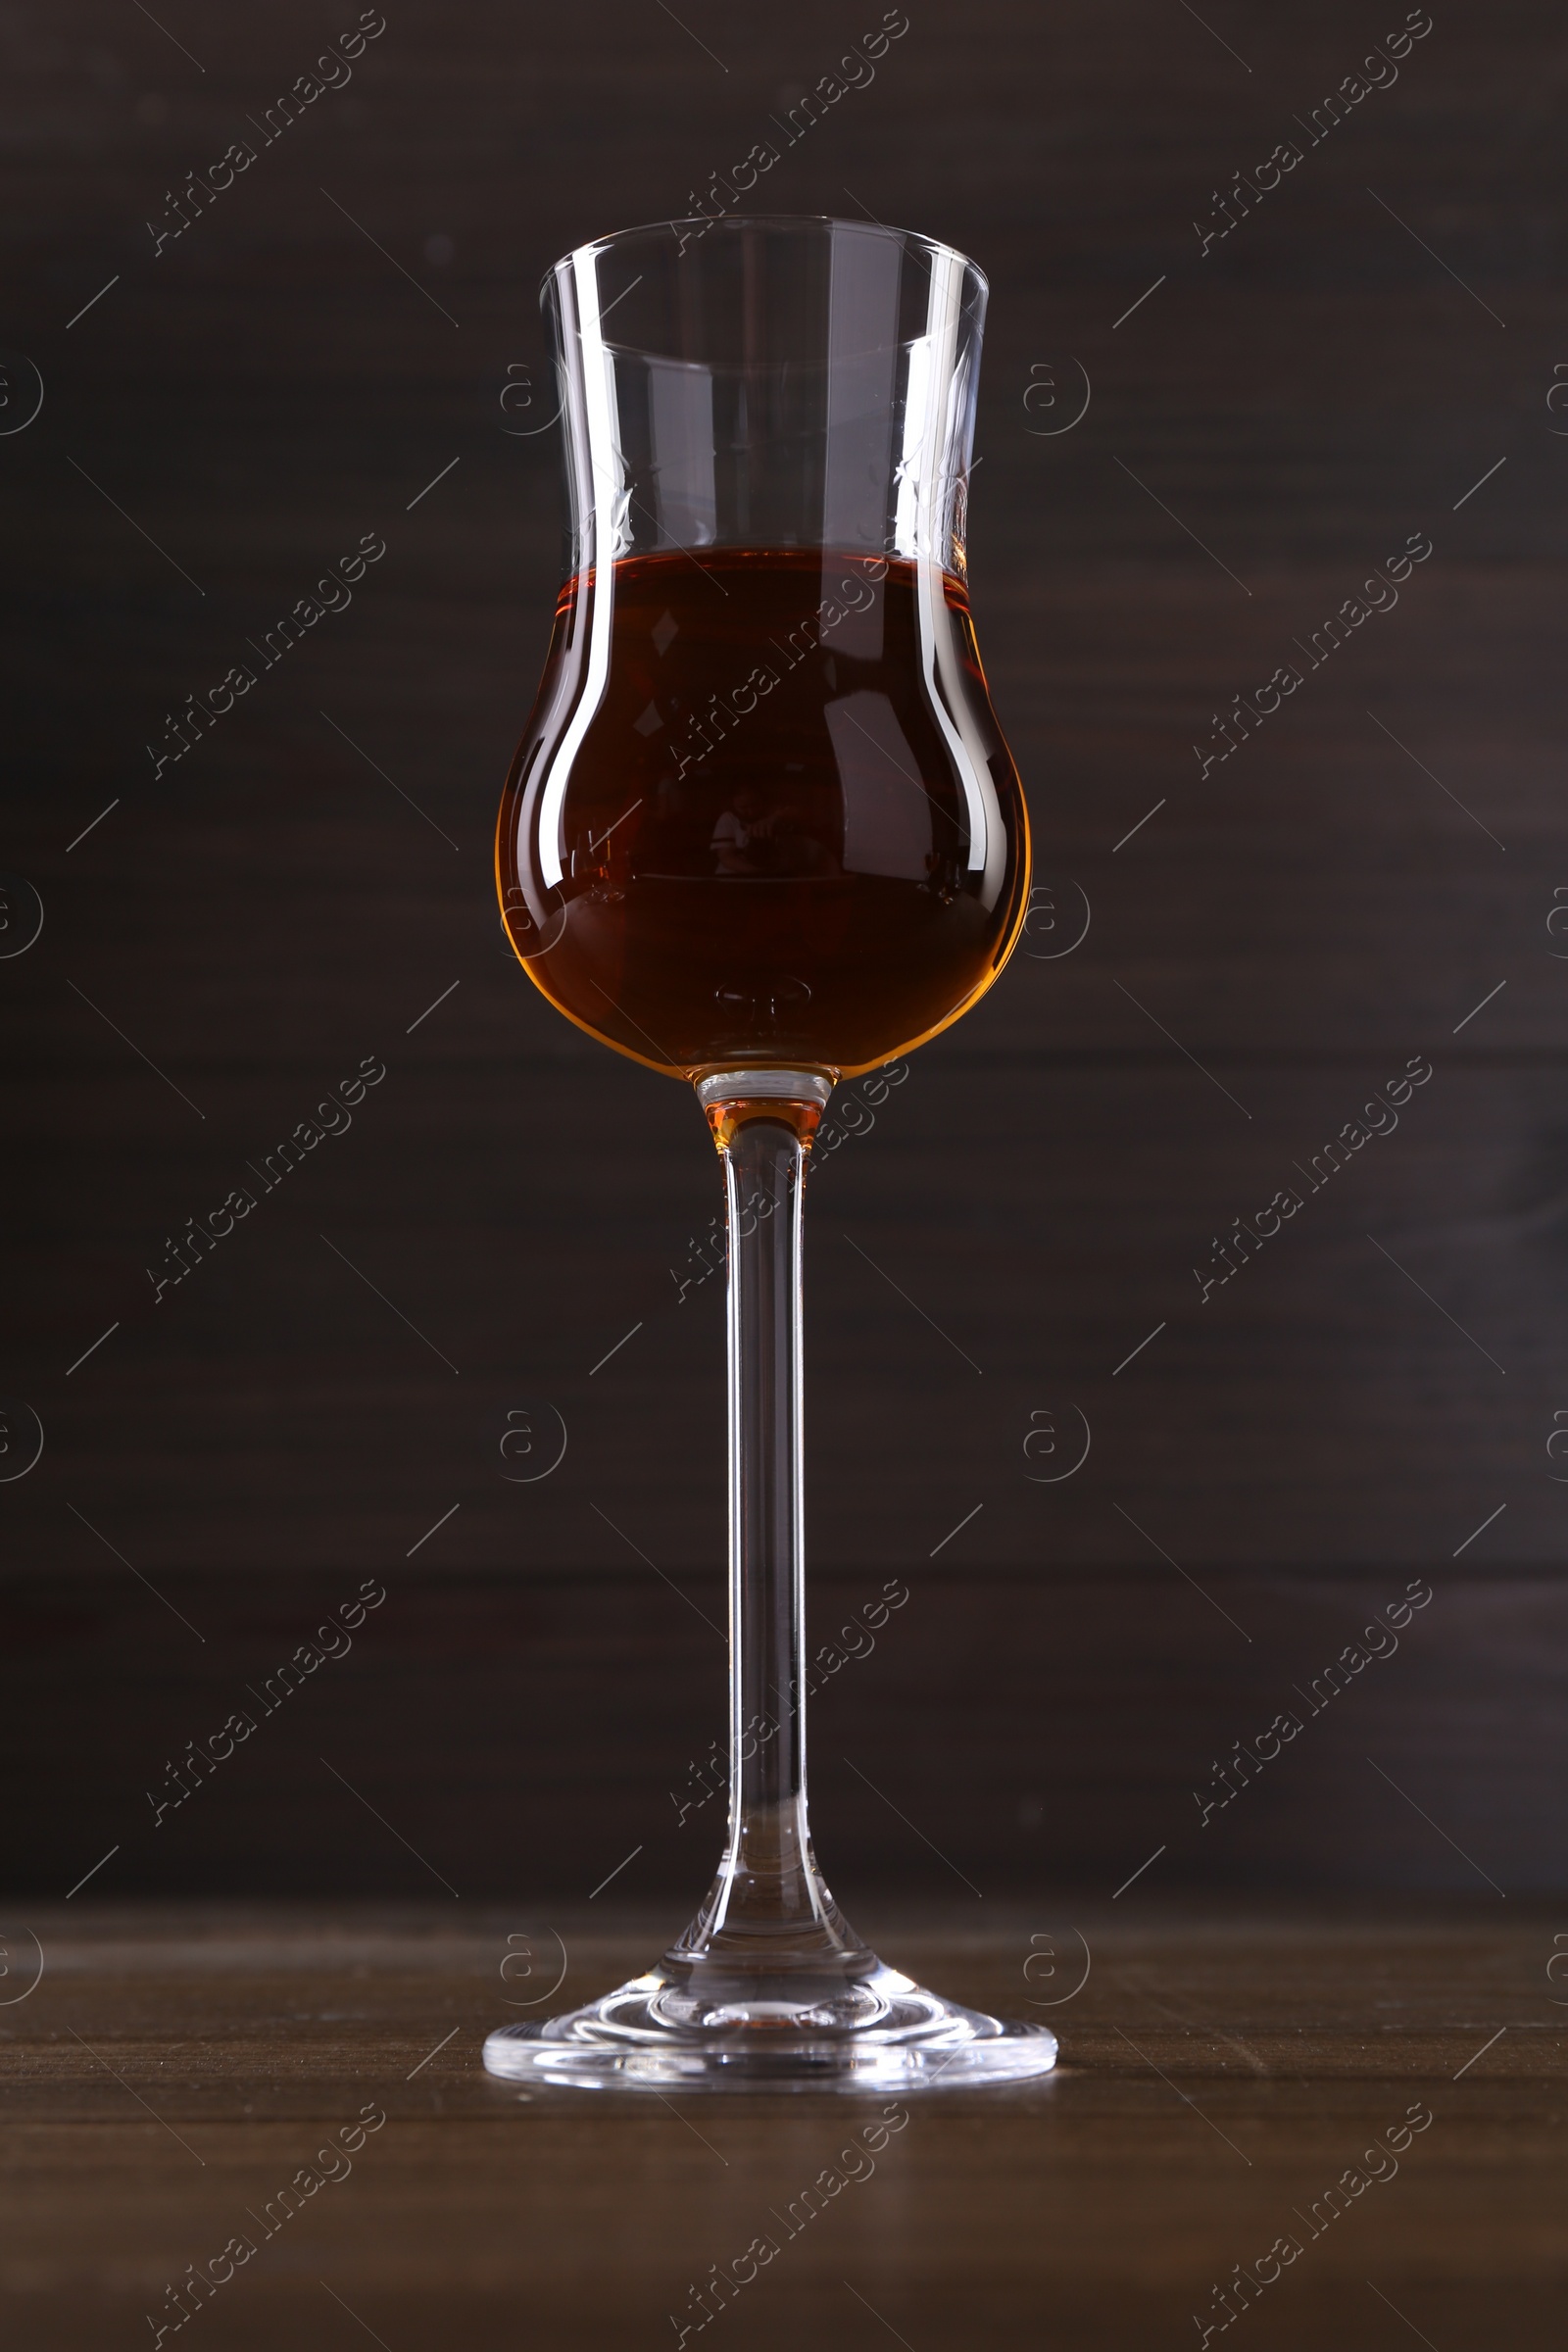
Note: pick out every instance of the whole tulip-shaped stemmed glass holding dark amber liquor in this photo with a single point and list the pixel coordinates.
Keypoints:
(763, 834)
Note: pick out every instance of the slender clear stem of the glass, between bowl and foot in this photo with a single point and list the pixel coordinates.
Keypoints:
(770, 1904)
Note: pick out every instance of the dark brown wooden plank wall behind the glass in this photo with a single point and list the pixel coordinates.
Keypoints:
(281, 904)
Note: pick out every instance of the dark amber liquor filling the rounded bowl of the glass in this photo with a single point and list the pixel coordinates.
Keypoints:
(768, 831)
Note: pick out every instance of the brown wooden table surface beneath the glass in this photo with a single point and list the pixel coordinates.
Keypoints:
(175, 2069)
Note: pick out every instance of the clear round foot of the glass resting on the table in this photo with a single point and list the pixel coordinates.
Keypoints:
(873, 2033)
